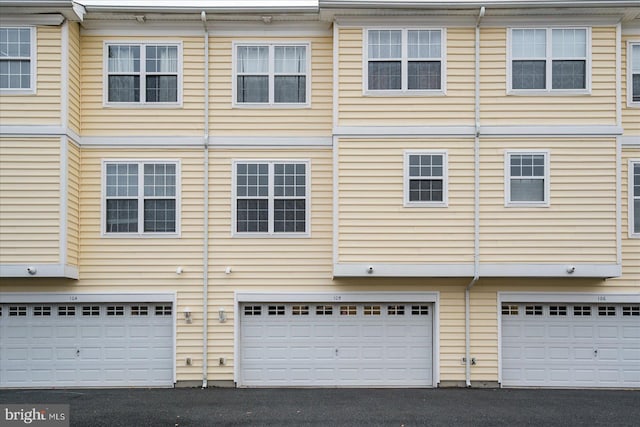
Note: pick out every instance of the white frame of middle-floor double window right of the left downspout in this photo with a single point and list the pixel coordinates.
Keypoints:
(271, 198)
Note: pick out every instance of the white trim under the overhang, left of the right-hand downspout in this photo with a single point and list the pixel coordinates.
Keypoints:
(402, 270)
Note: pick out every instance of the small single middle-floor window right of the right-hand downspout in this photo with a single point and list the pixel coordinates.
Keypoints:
(527, 178)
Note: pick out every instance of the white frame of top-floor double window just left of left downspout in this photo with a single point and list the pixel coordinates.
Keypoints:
(143, 74)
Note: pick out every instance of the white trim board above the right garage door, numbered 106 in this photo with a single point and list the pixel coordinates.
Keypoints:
(569, 297)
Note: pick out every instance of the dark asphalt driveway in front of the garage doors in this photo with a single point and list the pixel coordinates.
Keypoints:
(339, 407)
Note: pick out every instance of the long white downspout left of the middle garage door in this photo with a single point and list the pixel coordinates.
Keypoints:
(205, 248)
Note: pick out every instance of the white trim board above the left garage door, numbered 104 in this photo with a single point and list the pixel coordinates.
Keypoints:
(73, 297)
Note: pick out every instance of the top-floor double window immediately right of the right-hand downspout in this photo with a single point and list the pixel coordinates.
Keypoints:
(549, 60)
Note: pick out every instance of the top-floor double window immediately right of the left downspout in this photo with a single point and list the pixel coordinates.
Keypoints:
(270, 74)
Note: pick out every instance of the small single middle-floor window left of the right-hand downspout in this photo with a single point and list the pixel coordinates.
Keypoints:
(425, 179)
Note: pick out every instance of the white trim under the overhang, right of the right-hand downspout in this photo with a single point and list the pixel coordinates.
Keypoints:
(551, 270)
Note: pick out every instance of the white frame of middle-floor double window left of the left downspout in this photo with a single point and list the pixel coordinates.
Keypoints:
(140, 197)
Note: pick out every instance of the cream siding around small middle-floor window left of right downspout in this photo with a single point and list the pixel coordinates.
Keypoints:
(375, 227)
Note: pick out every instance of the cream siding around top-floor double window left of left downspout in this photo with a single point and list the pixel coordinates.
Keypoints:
(142, 120)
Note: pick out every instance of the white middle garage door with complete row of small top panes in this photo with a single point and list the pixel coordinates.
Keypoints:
(336, 344)
